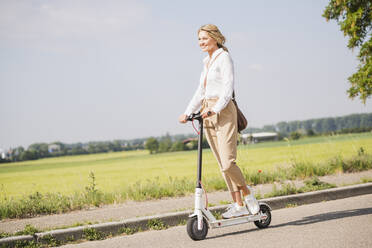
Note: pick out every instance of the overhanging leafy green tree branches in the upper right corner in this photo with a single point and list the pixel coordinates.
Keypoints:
(354, 17)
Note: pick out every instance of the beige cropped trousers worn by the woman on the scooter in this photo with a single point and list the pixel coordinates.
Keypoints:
(221, 132)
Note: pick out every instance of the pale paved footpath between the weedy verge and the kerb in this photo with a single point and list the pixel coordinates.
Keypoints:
(146, 208)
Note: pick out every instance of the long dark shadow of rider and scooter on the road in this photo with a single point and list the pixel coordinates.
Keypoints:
(309, 220)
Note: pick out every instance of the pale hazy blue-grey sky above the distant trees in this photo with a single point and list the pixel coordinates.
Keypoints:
(94, 70)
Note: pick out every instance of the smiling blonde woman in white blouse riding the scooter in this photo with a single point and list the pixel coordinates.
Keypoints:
(213, 98)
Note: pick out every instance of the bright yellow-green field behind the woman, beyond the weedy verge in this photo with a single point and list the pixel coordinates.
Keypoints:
(115, 171)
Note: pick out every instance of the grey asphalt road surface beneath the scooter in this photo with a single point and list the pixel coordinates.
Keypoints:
(340, 223)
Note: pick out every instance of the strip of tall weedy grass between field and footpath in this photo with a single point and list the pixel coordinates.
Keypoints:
(50, 203)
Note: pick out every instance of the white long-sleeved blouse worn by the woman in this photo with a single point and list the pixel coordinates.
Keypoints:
(220, 82)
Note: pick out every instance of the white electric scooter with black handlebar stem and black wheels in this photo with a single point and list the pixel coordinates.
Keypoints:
(202, 219)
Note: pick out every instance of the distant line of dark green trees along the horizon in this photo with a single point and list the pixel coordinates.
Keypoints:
(181, 142)
